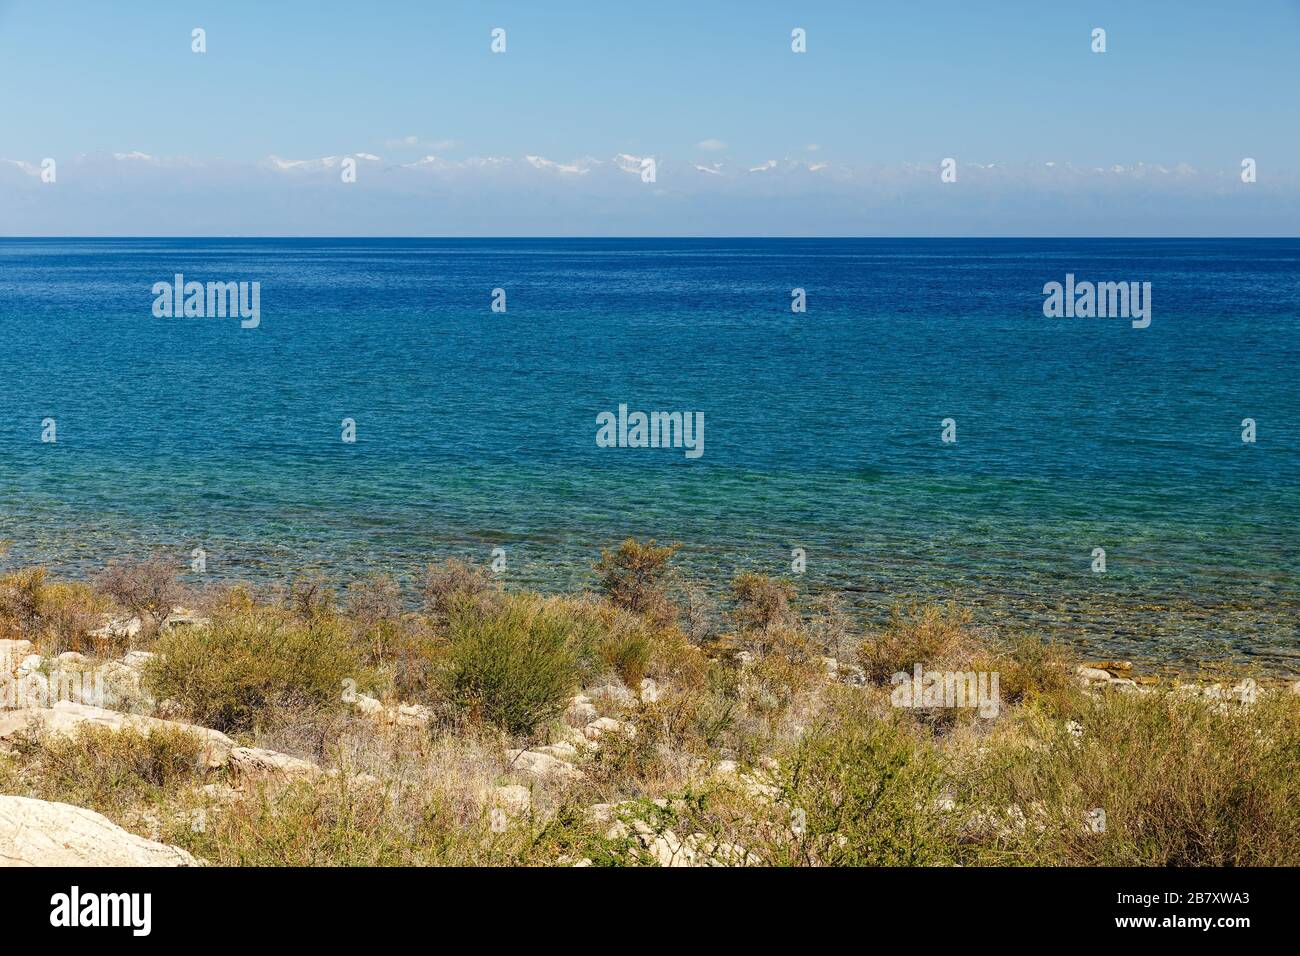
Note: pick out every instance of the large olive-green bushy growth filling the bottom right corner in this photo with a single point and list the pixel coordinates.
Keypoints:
(1184, 782)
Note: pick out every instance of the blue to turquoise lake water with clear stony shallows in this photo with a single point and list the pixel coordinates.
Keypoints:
(478, 430)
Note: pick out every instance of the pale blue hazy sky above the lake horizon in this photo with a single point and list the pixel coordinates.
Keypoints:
(885, 90)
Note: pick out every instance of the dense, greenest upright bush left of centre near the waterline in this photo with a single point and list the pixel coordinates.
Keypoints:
(517, 665)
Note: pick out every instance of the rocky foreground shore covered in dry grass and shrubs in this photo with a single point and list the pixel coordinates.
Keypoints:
(643, 724)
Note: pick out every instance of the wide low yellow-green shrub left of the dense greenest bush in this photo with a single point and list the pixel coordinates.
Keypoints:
(246, 664)
